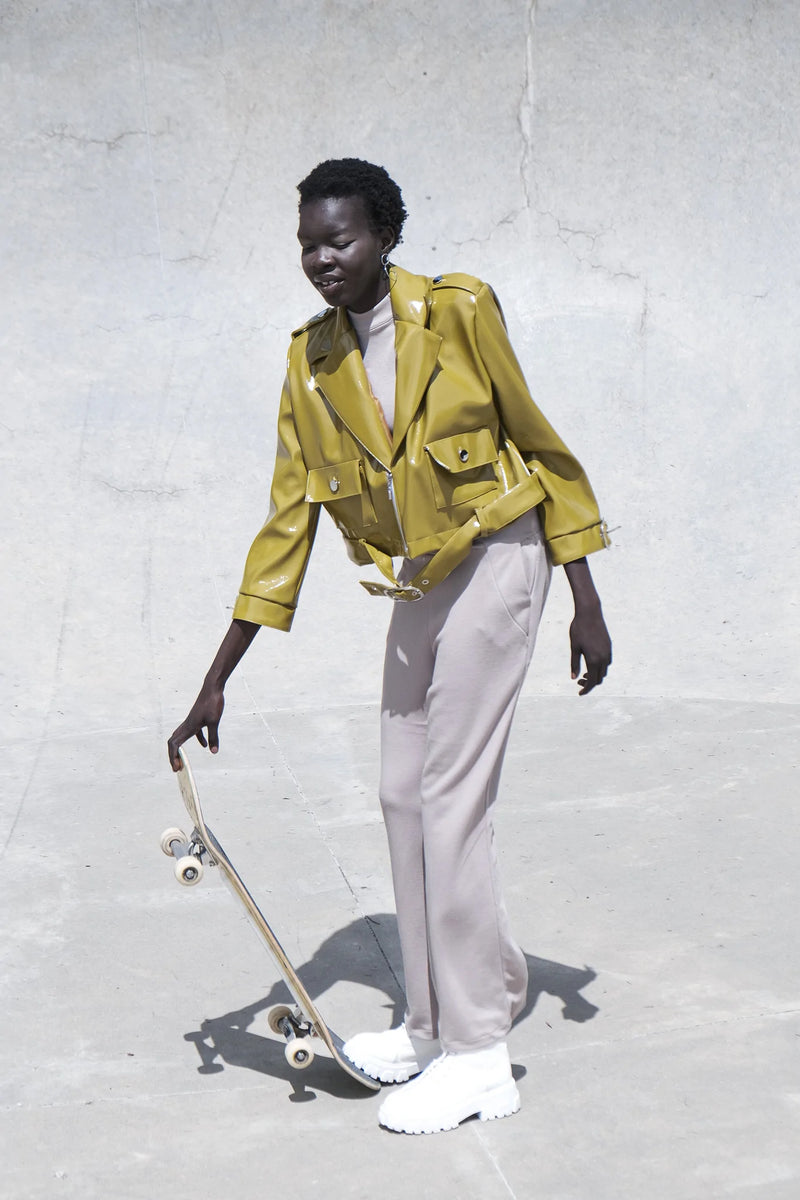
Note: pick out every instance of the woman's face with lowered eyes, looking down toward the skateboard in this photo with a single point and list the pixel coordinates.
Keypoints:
(341, 255)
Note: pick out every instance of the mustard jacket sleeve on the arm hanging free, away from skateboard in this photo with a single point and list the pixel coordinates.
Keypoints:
(570, 518)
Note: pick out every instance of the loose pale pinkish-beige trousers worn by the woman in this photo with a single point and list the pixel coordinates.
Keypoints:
(455, 664)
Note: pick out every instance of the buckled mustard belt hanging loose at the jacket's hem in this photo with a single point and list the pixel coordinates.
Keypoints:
(485, 521)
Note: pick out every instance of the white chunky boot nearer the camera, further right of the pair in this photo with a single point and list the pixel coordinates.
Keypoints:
(454, 1088)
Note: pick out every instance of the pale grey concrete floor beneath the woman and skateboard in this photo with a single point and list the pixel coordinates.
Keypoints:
(649, 851)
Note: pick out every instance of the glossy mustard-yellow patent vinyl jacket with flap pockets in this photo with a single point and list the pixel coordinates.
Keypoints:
(471, 452)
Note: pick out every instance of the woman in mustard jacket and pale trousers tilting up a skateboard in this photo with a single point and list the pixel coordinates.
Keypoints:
(406, 416)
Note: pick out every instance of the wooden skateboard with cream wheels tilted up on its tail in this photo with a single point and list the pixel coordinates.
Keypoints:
(300, 1024)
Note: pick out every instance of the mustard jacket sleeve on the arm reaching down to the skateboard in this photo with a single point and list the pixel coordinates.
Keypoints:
(279, 557)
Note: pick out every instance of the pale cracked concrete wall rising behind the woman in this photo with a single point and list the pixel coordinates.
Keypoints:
(624, 173)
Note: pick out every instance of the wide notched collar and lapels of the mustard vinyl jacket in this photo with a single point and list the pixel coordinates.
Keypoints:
(340, 374)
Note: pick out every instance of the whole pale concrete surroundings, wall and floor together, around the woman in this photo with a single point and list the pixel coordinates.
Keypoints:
(627, 176)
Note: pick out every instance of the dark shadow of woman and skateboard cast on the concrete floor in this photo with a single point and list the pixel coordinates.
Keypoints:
(360, 953)
